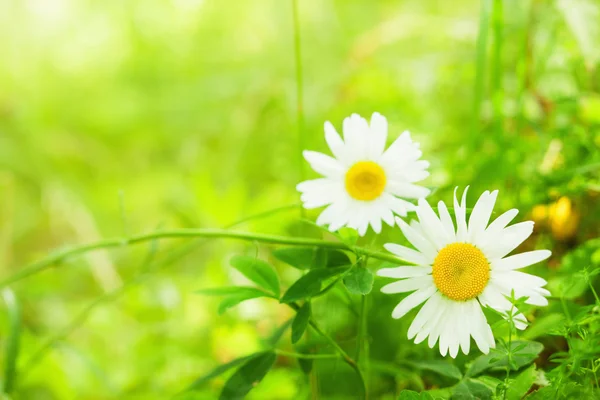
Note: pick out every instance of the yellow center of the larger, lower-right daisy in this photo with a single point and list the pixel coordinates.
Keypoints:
(461, 271)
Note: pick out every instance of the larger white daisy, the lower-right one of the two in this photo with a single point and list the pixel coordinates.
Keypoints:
(459, 270)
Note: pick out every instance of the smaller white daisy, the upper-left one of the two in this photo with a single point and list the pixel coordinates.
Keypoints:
(365, 183)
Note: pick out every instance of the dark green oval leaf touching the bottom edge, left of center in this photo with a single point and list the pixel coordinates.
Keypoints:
(248, 376)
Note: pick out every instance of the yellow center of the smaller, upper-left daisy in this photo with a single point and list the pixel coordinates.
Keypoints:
(365, 180)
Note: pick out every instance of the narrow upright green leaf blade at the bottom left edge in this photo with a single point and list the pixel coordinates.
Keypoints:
(11, 351)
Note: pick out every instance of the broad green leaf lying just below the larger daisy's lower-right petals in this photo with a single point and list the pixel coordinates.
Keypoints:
(496, 360)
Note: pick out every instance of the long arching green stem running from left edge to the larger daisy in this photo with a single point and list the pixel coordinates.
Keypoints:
(48, 262)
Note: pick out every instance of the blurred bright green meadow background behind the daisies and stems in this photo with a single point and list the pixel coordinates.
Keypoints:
(122, 117)
